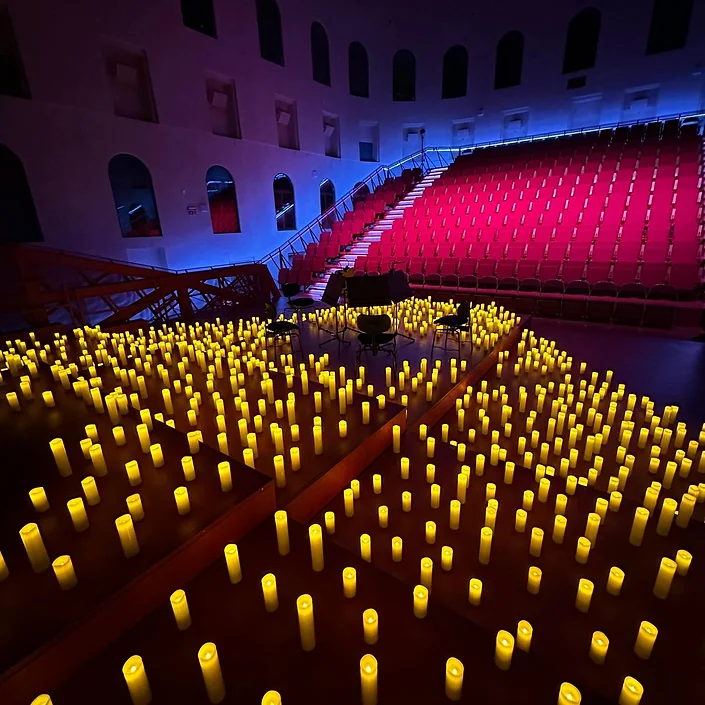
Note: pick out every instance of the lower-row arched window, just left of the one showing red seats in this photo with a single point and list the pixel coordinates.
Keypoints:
(134, 197)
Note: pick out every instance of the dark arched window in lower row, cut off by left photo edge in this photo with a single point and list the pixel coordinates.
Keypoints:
(19, 216)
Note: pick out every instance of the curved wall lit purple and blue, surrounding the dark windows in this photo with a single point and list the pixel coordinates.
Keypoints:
(67, 133)
